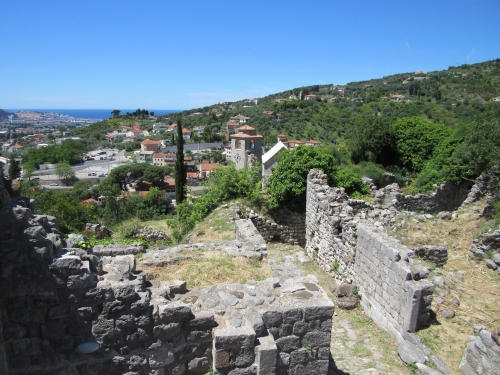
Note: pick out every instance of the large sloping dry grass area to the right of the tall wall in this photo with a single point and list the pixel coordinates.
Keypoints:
(479, 294)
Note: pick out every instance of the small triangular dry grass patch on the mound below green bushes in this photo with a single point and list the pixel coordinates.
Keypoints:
(215, 227)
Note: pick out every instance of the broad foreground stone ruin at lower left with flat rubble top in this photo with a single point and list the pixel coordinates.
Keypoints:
(68, 311)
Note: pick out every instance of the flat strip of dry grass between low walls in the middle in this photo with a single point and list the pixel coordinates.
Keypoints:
(204, 268)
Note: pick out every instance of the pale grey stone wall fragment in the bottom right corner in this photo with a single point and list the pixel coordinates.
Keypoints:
(482, 355)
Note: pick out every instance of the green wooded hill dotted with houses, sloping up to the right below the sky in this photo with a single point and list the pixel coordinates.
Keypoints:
(454, 97)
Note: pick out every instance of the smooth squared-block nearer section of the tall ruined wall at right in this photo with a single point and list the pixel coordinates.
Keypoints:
(384, 278)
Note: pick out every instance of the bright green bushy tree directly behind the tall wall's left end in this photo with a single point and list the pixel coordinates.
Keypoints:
(288, 183)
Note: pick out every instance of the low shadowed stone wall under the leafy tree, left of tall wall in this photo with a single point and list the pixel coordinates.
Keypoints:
(283, 226)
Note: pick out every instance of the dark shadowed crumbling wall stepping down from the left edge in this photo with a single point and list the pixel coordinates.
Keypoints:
(54, 298)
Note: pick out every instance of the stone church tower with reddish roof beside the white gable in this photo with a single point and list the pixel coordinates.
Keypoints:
(246, 146)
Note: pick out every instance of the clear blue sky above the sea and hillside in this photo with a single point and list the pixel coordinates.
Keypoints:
(166, 54)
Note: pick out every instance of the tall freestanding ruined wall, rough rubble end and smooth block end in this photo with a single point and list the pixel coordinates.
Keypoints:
(342, 237)
